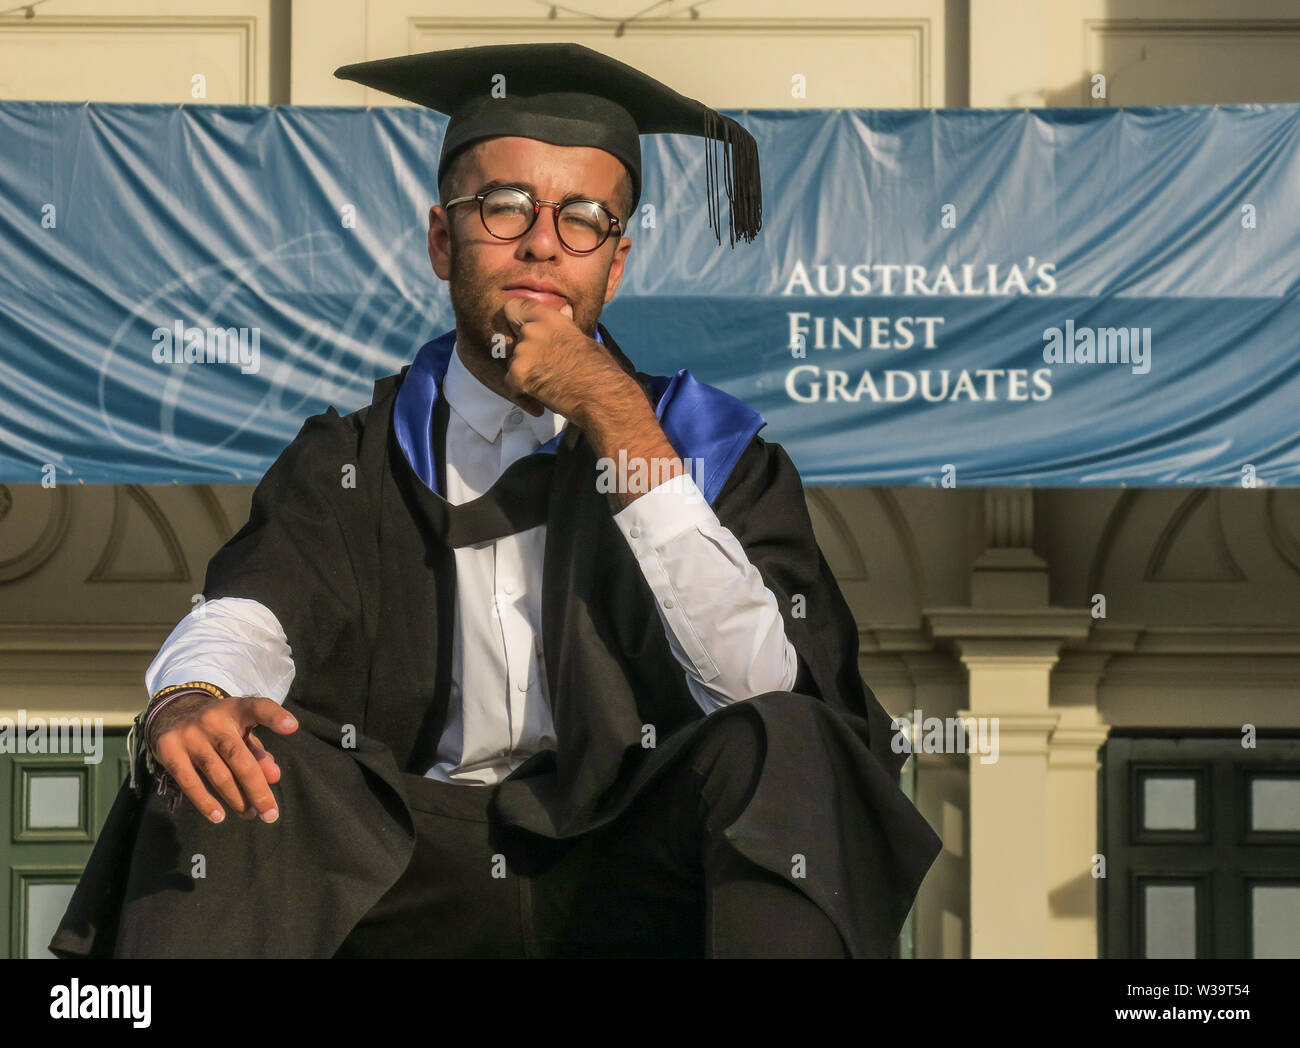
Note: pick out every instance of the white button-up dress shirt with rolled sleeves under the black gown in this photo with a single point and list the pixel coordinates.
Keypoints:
(722, 622)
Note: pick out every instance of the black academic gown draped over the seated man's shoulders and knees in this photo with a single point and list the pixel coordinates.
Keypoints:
(363, 581)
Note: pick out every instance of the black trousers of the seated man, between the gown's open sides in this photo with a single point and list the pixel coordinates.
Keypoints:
(661, 881)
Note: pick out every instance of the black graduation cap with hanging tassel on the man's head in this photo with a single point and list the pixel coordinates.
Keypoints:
(570, 96)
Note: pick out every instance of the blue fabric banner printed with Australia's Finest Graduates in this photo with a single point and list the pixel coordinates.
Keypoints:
(1052, 297)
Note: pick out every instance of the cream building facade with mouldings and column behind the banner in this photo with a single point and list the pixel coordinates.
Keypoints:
(1125, 665)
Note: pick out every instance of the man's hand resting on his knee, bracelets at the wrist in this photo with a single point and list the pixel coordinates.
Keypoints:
(214, 737)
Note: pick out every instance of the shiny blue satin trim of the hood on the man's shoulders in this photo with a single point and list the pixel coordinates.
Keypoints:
(701, 422)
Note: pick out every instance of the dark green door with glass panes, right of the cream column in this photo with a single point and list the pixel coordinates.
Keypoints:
(1203, 846)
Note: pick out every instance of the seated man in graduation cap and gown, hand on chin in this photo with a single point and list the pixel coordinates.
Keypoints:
(570, 673)
